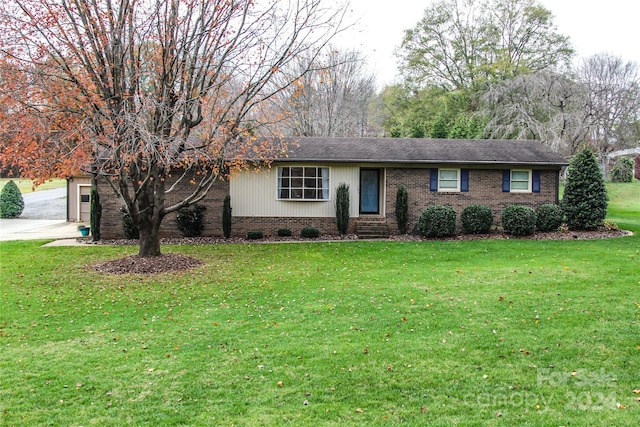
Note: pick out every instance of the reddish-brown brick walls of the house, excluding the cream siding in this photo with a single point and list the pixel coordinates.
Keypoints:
(485, 187)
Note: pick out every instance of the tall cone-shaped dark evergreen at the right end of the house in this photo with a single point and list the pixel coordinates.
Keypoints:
(584, 202)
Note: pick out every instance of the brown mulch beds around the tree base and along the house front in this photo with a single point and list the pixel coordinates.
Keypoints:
(173, 262)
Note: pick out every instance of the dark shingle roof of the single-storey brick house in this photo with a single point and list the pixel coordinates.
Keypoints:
(421, 151)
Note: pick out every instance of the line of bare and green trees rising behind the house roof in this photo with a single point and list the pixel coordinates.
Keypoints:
(478, 69)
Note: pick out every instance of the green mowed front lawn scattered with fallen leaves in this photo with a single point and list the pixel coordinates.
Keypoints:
(513, 332)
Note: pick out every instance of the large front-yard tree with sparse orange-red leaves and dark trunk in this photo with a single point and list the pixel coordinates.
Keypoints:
(138, 88)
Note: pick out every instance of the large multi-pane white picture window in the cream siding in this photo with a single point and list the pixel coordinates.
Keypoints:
(303, 183)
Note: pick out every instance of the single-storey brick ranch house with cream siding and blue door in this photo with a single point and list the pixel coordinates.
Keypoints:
(299, 190)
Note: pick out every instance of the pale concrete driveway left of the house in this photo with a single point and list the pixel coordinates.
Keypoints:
(44, 217)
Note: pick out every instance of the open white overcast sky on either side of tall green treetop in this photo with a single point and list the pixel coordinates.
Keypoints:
(594, 26)
